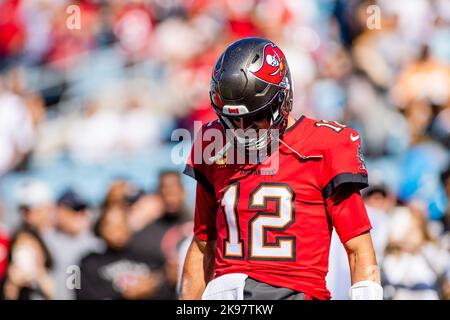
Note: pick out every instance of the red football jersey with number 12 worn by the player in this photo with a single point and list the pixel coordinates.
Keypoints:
(276, 227)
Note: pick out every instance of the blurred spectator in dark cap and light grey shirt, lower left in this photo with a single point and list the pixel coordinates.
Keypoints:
(71, 240)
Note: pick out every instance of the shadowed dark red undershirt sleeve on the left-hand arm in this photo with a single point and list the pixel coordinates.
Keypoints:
(205, 214)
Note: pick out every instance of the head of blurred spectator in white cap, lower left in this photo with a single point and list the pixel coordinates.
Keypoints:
(36, 205)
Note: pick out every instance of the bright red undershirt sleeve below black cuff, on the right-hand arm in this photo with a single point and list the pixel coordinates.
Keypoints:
(348, 213)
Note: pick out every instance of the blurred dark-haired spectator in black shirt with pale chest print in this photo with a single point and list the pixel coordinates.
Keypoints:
(116, 273)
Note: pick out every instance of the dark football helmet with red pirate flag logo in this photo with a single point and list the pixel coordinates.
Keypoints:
(251, 81)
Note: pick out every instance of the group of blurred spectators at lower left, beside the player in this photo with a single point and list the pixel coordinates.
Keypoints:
(130, 250)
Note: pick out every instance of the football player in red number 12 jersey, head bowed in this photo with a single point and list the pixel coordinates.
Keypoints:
(263, 228)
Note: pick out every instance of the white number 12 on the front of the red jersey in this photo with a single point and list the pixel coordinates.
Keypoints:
(259, 248)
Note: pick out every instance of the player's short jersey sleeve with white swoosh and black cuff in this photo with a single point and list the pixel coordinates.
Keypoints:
(344, 163)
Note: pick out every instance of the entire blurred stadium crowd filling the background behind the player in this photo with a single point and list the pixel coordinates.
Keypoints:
(87, 111)
